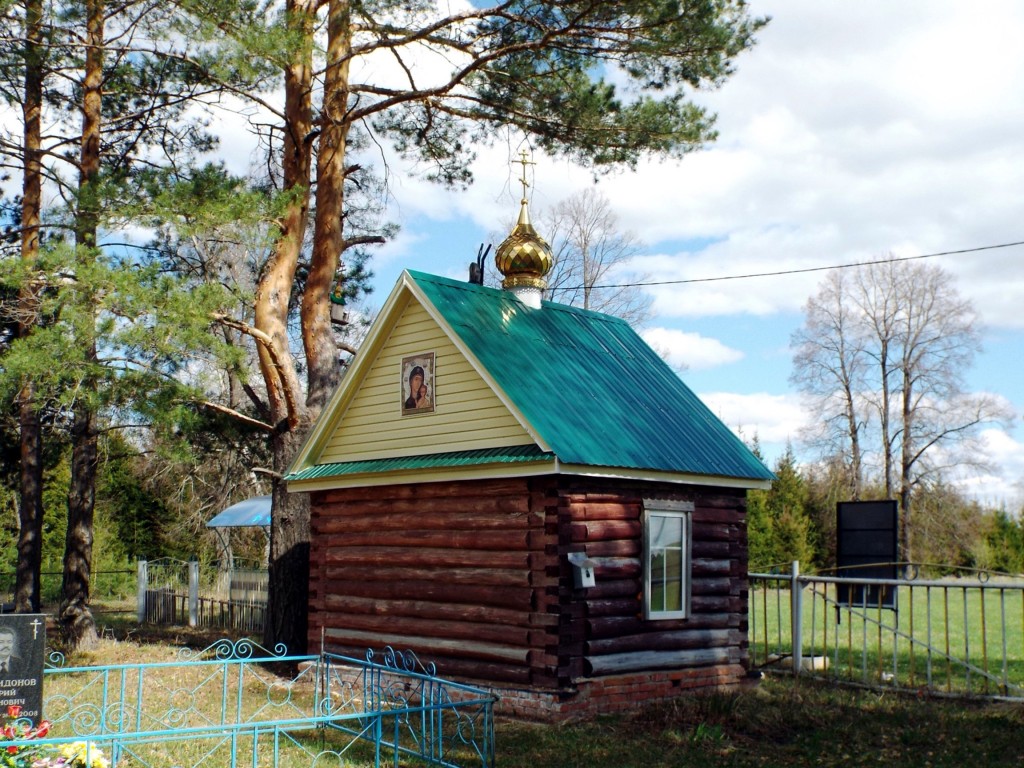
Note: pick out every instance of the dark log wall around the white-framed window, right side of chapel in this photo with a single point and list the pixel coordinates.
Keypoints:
(607, 525)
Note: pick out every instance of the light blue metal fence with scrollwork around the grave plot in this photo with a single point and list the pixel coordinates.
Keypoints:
(233, 705)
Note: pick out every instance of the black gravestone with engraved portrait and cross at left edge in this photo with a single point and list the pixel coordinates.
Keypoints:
(23, 649)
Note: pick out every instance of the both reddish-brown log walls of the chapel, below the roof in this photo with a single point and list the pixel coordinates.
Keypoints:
(476, 577)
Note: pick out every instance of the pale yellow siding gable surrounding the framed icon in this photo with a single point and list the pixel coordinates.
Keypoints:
(467, 414)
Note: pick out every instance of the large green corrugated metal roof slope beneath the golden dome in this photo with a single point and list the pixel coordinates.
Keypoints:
(594, 392)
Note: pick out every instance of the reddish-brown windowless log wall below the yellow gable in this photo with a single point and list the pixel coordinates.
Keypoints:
(453, 572)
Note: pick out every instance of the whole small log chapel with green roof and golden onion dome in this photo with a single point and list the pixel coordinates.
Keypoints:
(527, 495)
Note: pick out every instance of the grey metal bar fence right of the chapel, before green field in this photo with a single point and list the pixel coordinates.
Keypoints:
(957, 635)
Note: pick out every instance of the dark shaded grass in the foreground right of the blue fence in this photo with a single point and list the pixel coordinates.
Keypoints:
(783, 722)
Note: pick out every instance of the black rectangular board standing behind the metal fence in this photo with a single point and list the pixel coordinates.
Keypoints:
(867, 548)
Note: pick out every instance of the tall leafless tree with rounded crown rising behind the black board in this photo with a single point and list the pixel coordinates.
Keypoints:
(893, 344)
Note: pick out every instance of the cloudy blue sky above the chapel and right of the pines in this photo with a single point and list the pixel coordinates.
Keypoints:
(852, 132)
